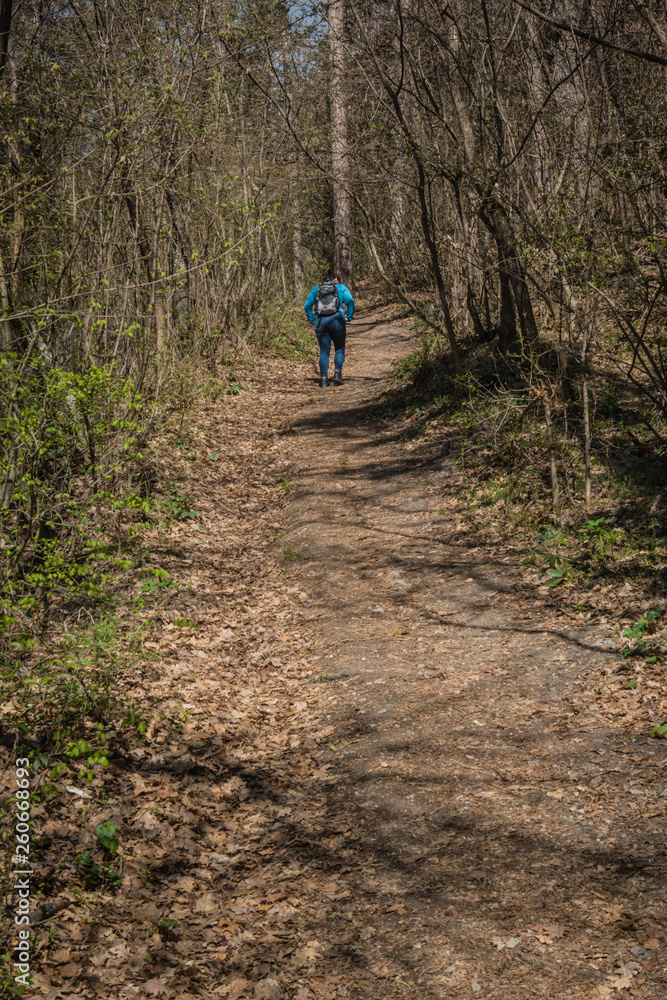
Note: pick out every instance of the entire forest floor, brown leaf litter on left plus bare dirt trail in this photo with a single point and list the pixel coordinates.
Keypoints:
(379, 764)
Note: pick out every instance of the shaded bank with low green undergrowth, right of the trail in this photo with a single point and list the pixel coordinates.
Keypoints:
(489, 424)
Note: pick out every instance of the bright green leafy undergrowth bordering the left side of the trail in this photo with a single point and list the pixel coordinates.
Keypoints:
(82, 548)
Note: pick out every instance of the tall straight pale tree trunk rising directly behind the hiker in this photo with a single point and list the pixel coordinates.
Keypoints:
(339, 151)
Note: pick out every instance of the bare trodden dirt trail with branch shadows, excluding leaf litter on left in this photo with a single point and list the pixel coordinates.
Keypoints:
(506, 839)
